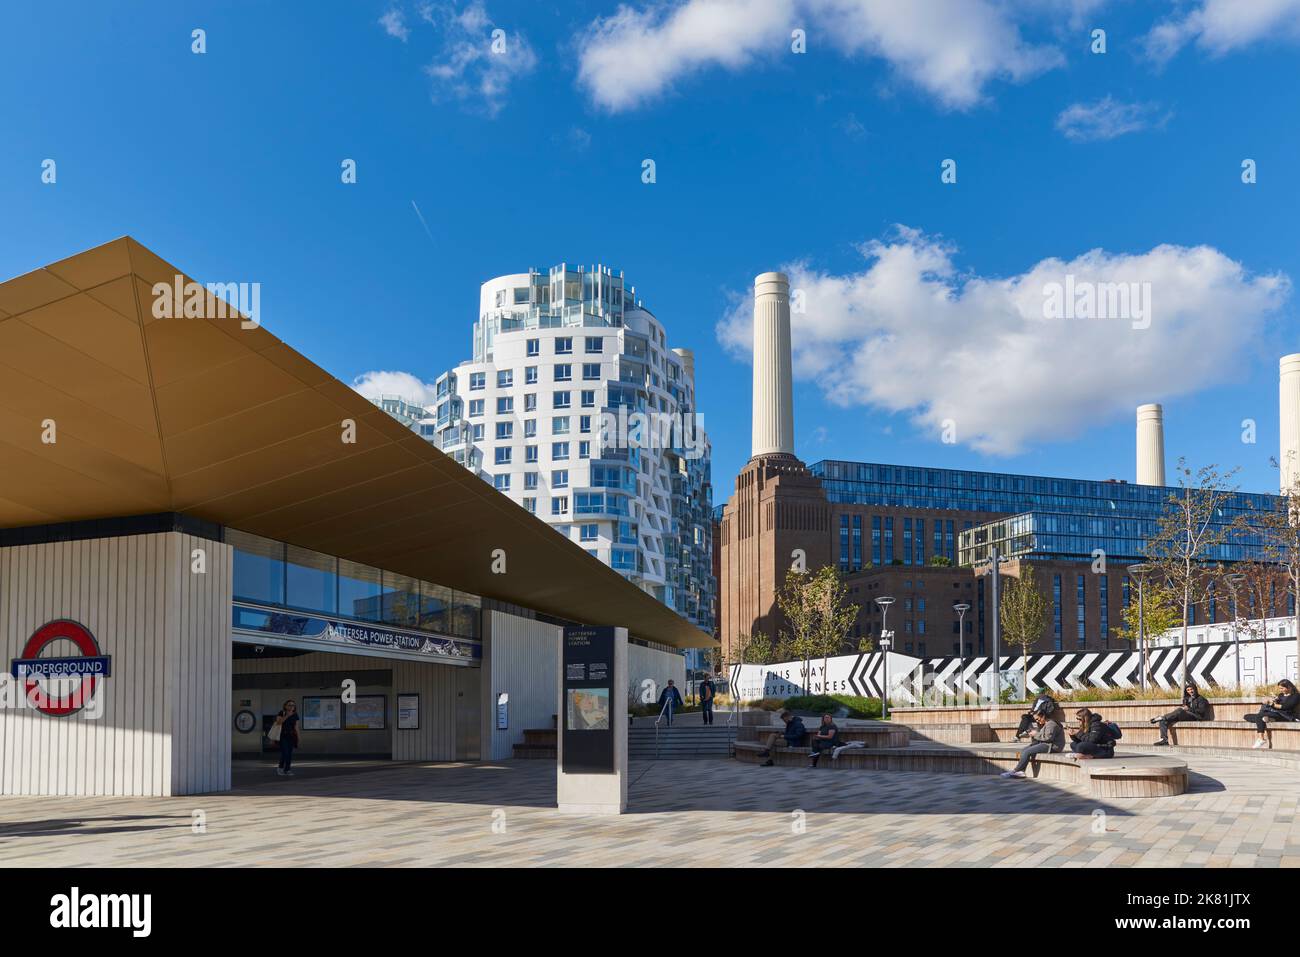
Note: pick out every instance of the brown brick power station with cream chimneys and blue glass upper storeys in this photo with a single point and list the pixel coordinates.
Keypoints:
(915, 534)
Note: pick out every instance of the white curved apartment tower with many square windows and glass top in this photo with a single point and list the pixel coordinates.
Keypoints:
(548, 412)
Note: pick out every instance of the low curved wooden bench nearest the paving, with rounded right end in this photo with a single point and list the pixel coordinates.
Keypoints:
(1125, 776)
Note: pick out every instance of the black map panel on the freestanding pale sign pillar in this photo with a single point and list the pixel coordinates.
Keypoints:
(588, 704)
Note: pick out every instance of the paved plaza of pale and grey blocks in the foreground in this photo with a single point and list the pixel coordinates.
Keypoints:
(1236, 815)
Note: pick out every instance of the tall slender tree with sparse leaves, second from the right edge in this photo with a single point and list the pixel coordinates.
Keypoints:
(1188, 534)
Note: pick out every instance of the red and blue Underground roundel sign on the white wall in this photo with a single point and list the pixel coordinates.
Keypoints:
(60, 686)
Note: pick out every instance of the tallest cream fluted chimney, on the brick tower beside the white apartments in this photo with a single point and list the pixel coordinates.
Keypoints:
(774, 402)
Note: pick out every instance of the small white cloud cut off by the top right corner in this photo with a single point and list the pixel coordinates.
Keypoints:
(1224, 27)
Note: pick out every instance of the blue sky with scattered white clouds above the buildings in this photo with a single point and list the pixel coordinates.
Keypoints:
(228, 164)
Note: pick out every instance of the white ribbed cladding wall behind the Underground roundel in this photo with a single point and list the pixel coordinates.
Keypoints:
(163, 726)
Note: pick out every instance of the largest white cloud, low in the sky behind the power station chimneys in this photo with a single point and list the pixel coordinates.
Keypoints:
(911, 334)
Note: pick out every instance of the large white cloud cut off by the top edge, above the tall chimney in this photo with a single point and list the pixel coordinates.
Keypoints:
(950, 49)
